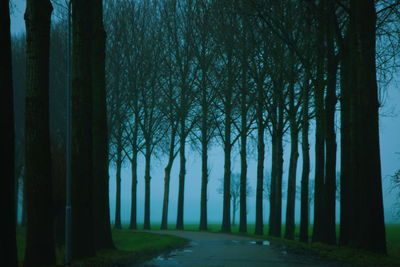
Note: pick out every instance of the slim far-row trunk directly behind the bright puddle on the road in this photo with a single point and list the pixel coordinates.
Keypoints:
(259, 227)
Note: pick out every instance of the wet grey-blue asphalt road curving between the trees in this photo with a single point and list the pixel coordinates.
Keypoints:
(216, 249)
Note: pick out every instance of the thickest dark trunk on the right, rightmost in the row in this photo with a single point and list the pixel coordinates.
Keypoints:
(367, 227)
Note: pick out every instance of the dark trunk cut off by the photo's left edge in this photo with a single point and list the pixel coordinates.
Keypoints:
(8, 245)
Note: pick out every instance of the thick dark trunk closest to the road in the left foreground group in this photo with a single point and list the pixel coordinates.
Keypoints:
(101, 206)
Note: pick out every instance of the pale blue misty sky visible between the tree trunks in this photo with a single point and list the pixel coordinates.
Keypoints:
(390, 145)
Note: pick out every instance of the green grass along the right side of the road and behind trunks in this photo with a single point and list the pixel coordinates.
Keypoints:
(343, 254)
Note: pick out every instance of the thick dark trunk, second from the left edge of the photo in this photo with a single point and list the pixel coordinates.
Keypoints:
(39, 240)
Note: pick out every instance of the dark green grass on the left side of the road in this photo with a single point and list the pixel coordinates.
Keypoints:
(131, 246)
